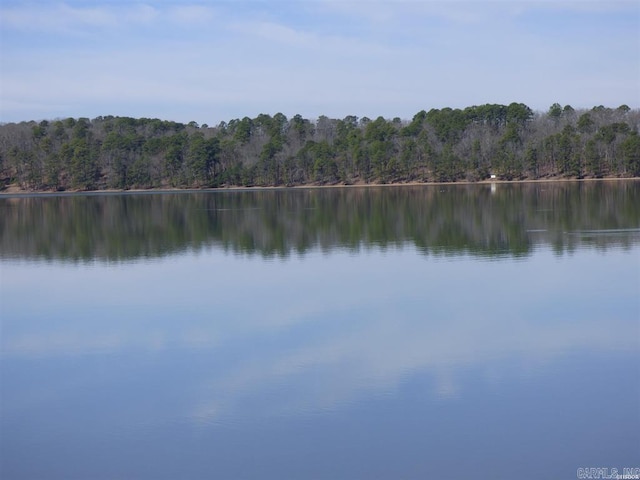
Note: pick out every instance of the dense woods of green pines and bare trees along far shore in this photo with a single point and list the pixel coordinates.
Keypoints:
(441, 145)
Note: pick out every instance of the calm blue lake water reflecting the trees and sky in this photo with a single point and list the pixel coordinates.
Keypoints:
(431, 332)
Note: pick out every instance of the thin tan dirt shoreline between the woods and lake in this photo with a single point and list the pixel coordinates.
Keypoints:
(13, 190)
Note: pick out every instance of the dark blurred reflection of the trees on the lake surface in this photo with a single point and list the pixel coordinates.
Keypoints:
(437, 219)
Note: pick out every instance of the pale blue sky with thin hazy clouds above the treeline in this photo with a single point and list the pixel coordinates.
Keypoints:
(218, 60)
